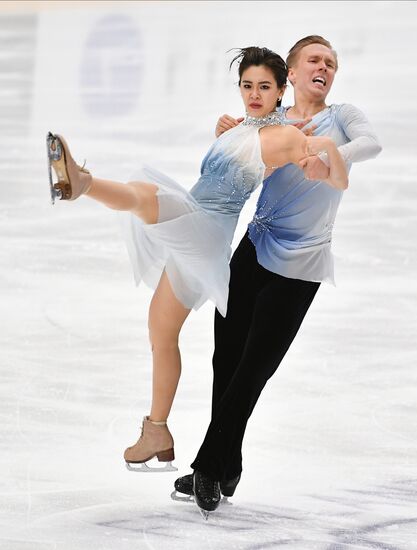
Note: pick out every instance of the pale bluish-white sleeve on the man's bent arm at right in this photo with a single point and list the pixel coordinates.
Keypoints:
(363, 144)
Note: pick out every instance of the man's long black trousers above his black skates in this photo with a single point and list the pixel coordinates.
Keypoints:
(264, 313)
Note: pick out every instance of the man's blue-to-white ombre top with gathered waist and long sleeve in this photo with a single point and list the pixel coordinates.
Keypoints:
(293, 222)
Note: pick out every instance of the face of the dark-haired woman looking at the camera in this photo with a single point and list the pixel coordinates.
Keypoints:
(259, 90)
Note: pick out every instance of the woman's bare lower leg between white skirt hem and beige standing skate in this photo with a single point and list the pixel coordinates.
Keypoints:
(166, 317)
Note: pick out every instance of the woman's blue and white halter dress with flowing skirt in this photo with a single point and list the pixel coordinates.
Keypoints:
(192, 238)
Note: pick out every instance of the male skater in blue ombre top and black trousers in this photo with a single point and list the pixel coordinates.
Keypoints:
(276, 269)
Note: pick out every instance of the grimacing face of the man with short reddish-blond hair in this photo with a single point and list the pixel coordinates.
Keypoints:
(314, 71)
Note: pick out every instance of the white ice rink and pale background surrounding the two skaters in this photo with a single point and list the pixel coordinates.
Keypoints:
(330, 454)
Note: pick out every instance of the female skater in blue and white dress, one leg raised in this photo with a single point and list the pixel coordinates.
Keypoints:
(180, 241)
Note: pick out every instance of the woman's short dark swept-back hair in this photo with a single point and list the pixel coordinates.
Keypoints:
(262, 56)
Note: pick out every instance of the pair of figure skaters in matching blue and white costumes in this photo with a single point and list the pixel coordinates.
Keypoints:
(180, 244)
